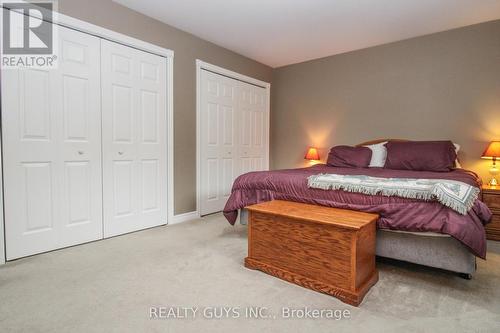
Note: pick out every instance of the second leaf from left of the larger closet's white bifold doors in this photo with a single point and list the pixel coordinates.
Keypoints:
(79, 107)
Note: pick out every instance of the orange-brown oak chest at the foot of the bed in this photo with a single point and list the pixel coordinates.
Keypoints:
(324, 249)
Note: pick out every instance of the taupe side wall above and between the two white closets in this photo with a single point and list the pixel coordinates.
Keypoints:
(187, 48)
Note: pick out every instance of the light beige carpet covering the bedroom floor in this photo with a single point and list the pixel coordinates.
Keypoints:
(109, 286)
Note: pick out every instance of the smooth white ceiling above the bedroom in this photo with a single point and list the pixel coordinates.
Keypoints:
(282, 32)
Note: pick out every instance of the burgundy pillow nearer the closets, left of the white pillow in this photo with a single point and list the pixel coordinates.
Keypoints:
(349, 157)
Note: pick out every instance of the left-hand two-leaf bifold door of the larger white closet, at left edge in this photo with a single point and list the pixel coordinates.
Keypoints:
(52, 147)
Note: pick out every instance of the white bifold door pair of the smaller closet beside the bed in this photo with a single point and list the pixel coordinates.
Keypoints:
(233, 136)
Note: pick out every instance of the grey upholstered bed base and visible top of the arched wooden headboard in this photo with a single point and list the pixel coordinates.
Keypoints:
(423, 248)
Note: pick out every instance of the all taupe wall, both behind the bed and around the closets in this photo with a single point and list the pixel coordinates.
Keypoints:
(441, 86)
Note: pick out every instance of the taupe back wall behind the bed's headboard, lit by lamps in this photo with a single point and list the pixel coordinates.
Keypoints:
(440, 86)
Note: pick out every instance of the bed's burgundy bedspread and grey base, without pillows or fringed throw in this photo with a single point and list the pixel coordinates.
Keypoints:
(421, 232)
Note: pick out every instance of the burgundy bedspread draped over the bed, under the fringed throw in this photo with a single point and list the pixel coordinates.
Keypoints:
(395, 213)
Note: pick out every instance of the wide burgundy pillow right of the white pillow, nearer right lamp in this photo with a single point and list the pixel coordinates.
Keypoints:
(436, 156)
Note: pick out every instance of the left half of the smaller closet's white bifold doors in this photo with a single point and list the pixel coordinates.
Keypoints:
(219, 147)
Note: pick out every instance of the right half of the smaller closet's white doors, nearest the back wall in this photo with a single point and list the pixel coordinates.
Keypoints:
(253, 128)
